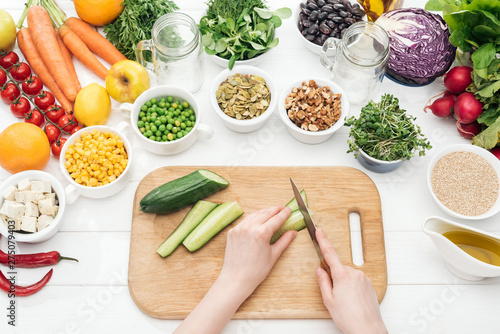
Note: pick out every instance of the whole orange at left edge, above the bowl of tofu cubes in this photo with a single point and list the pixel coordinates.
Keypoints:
(23, 146)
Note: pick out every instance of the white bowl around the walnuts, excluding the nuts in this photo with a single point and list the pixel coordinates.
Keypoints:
(309, 137)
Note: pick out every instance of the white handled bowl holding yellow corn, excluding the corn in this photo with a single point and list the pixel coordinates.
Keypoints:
(73, 190)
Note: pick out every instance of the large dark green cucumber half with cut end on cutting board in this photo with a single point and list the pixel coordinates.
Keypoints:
(181, 192)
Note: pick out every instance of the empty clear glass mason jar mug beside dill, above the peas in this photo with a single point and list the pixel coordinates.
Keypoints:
(177, 55)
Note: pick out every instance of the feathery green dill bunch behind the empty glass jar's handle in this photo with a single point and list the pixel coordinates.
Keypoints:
(135, 23)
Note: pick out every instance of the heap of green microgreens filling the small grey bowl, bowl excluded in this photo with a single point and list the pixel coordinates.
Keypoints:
(384, 131)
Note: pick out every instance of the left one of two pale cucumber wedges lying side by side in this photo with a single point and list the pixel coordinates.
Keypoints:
(195, 216)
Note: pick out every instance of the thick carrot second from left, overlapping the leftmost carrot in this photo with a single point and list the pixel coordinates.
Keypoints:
(44, 38)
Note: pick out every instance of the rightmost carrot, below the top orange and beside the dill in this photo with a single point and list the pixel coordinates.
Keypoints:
(95, 41)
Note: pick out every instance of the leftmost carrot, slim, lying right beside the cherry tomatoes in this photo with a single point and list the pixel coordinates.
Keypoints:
(35, 60)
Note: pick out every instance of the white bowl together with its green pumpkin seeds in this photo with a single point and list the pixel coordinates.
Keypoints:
(244, 98)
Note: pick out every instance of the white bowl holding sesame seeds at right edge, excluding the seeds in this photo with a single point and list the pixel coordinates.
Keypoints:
(495, 163)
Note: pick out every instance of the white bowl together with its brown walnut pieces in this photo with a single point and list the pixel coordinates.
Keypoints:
(313, 109)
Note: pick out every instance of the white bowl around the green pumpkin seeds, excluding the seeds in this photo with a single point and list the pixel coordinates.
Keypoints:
(245, 125)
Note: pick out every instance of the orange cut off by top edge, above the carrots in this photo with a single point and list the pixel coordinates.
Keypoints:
(98, 12)
